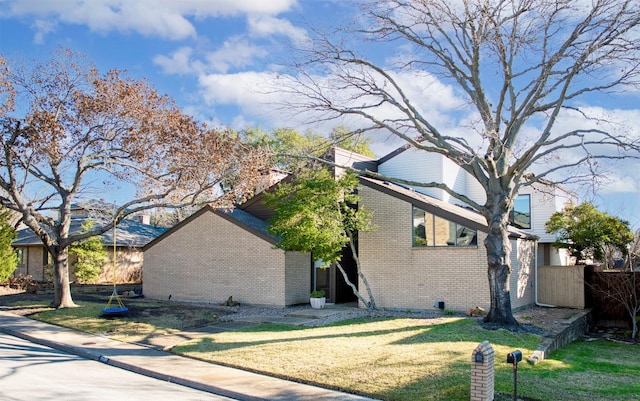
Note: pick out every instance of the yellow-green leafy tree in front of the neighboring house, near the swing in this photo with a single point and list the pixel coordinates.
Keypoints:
(90, 256)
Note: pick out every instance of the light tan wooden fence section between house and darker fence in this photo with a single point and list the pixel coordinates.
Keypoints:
(561, 286)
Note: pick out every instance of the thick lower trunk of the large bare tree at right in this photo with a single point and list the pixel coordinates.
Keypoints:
(499, 260)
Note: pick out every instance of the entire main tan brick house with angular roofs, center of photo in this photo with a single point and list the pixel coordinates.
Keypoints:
(425, 253)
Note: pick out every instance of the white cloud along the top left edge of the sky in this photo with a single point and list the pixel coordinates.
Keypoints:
(167, 19)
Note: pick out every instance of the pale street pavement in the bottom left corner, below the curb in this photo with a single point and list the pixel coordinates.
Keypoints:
(33, 372)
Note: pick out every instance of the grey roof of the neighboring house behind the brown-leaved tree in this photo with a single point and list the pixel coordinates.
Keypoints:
(129, 233)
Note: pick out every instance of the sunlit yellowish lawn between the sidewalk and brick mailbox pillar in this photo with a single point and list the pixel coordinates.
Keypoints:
(391, 359)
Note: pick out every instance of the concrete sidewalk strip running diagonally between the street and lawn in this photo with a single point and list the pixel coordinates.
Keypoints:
(229, 382)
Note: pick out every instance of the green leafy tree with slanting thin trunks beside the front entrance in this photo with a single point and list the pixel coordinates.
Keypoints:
(317, 213)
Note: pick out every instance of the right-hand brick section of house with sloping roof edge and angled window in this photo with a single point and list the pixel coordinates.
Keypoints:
(427, 253)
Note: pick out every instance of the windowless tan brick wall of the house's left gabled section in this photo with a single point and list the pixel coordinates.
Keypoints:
(209, 259)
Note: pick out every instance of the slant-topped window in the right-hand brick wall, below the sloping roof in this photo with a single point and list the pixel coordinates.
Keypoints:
(430, 230)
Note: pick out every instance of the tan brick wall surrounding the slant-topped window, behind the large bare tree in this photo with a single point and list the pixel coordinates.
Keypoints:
(407, 277)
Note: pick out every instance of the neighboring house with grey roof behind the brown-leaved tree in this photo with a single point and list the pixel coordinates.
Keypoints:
(131, 235)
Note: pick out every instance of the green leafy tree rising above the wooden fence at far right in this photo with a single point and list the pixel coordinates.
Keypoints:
(586, 232)
